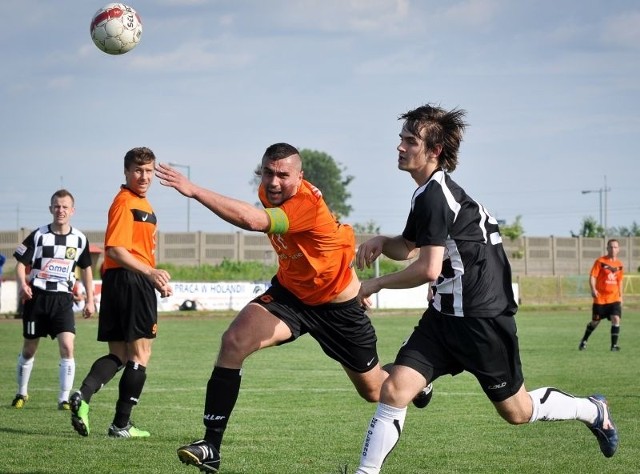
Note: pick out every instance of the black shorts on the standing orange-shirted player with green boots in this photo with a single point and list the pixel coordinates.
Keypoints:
(128, 307)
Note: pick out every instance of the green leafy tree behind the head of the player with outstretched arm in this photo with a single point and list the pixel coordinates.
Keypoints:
(326, 174)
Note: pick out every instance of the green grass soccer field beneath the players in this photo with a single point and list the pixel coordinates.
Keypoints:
(297, 412)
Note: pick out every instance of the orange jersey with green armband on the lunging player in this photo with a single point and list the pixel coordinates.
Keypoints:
(315, 252)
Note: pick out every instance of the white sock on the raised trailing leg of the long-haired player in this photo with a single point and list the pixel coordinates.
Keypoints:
(550, 404)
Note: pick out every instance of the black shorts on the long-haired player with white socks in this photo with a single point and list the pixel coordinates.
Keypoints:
(485, 347)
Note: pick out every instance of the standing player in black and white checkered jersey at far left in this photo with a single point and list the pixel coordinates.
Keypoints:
(52, 253)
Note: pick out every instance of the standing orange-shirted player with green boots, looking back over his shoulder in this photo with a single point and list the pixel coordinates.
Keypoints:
(129, 309)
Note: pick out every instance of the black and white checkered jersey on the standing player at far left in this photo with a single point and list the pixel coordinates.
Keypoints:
(53, 258)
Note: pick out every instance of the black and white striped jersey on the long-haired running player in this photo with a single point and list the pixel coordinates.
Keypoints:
(476, 275)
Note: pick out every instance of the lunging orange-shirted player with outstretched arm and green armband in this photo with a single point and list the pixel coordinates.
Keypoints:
(314, 290)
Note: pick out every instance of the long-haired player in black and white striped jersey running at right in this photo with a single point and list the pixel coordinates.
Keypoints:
(469, 324)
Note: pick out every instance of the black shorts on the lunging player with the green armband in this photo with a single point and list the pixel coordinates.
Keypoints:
(343, 330)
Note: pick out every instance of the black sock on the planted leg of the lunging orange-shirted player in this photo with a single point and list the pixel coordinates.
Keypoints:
(222, 393)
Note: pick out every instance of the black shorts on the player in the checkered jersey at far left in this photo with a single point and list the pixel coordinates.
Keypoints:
(48, 313)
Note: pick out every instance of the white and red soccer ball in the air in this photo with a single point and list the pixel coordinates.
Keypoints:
(116, 28)
